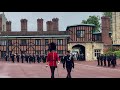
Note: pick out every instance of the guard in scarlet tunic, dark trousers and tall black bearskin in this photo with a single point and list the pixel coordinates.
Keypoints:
(52, 58)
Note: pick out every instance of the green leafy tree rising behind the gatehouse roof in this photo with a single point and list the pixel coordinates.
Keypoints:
(93, 20)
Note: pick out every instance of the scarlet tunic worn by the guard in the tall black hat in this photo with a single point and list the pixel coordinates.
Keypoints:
(52, 58)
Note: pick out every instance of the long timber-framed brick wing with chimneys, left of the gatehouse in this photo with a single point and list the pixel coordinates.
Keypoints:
(36, 42)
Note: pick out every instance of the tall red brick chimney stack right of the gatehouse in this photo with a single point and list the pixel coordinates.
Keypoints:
(105, 30)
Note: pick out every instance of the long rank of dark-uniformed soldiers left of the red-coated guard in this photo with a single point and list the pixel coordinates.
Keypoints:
(29, 58)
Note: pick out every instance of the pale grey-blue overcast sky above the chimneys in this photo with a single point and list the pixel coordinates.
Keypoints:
(65, 18)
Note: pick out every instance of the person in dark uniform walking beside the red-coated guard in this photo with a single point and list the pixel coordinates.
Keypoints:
(69, 63)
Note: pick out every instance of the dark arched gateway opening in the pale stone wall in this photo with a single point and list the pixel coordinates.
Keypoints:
(80, 49)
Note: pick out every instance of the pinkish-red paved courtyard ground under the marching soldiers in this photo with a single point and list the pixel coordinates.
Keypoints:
(82, 70)
